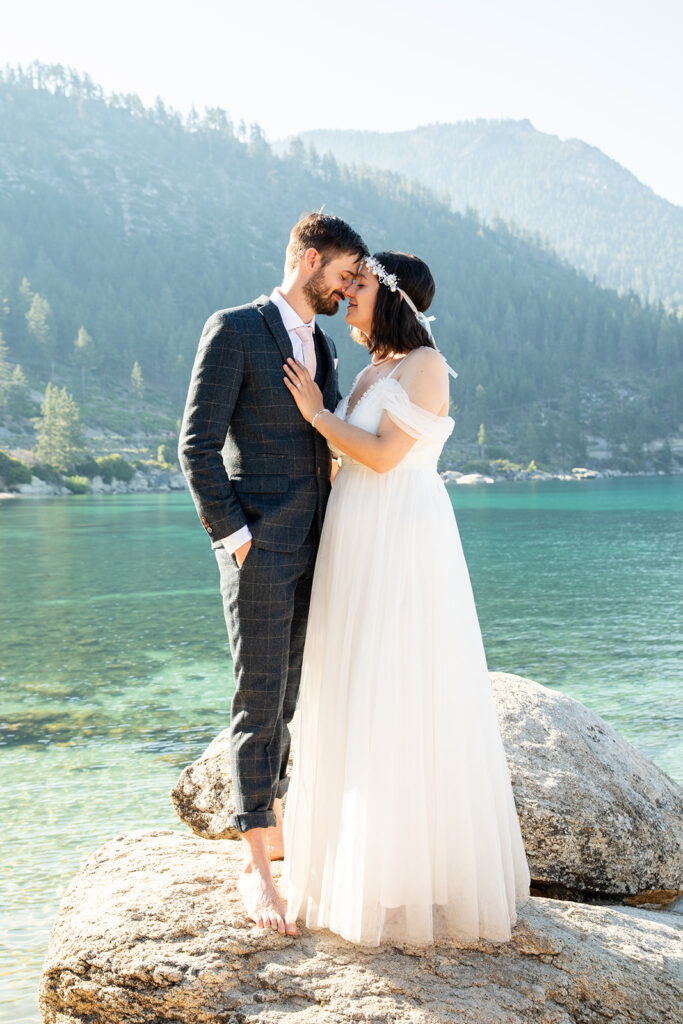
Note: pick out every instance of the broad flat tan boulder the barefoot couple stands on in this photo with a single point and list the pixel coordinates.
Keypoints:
(152, 930)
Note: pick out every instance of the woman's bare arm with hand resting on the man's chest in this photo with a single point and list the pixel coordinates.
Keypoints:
(423, 377)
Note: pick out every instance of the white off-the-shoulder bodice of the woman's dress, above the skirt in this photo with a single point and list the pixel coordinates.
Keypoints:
(389, 396)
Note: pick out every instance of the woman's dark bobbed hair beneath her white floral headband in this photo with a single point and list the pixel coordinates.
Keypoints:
(396, 328)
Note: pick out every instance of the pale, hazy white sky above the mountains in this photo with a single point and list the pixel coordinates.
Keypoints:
(609, 72)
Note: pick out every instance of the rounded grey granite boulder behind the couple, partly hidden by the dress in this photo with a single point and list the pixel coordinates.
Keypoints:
(599, 819)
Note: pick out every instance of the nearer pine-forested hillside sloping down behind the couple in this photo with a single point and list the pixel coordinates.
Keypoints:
(134, 225)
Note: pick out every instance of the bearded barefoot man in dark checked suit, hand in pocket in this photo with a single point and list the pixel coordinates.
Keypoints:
(260, 476)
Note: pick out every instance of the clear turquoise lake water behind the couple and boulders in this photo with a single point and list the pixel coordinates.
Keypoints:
(115, 669)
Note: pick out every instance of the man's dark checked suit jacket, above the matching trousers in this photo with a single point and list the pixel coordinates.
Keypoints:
(249, 456)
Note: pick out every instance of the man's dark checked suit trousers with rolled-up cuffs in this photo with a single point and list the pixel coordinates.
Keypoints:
(266, 605)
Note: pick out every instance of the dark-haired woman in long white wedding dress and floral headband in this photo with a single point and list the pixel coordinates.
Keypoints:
(401, 823)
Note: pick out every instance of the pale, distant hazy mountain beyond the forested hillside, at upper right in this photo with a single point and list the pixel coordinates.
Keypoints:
(586, 205)
